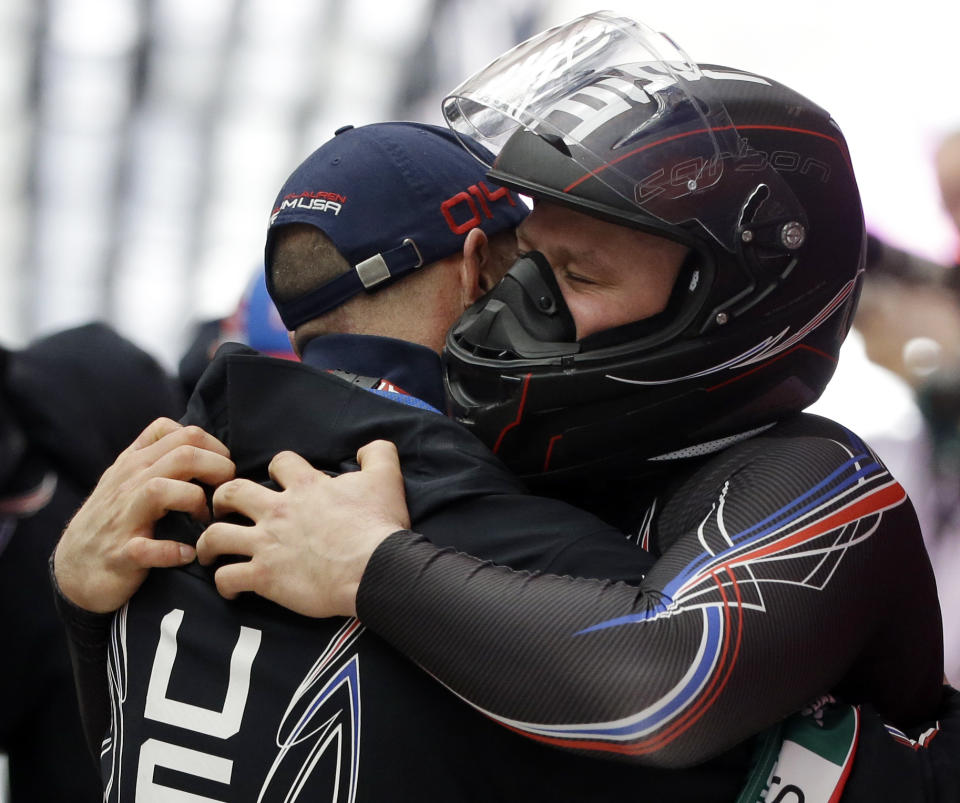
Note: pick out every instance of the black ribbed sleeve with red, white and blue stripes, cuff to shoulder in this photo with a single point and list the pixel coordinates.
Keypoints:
(789, 575)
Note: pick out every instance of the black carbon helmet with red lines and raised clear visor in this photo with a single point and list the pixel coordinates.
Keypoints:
(610, 119)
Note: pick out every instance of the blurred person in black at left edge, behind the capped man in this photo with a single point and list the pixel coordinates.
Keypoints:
(69, 404)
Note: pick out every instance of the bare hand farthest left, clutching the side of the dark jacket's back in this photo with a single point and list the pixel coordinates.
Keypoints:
(106, 550)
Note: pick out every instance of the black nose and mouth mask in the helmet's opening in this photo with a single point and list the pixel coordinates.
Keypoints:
(523, 317)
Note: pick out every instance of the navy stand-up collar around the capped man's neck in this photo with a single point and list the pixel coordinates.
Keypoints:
(411, 368)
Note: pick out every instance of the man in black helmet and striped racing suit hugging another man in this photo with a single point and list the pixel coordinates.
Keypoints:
(693, 265)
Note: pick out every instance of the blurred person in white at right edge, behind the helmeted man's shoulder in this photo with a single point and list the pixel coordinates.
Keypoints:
(894, 355)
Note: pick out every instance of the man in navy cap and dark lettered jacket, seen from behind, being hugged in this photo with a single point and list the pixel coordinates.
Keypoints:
(231, 700)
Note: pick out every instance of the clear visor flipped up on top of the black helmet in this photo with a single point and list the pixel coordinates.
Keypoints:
(632, 110)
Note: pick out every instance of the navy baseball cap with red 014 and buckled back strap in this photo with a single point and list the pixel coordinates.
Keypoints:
(392, 197)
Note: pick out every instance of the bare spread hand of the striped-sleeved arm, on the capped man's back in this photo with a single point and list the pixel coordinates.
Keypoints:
(310, 543)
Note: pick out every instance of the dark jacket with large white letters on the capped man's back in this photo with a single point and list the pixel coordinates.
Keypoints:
(231, 700)
